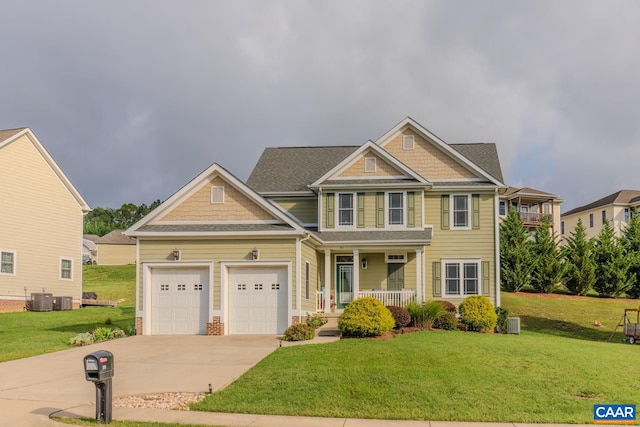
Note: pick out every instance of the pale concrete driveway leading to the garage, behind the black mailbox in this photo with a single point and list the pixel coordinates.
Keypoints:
(31, 389)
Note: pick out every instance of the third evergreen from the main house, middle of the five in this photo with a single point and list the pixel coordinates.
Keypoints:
(581, 267)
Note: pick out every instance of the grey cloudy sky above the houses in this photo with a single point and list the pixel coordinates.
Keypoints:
(135, 98)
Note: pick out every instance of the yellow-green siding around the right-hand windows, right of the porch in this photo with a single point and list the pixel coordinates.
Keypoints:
(457, 244)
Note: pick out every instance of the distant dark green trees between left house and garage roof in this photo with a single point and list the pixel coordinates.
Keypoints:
(101, 221)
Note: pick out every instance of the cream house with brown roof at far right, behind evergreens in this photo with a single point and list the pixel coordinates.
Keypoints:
(615, 208)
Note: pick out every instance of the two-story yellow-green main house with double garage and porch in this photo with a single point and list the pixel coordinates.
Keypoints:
(406, 217)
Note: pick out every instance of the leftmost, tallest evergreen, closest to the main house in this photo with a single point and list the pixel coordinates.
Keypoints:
(516, 261)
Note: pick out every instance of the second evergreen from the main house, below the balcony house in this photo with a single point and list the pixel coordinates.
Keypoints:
(549, 268)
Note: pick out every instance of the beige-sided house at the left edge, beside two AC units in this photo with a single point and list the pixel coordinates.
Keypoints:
(39, 204)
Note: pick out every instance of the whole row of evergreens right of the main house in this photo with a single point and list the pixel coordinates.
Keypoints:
(607, 264)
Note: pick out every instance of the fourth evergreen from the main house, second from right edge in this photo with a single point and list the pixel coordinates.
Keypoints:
(612, 264)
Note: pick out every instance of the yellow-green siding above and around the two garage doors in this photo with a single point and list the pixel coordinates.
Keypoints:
(218, 251)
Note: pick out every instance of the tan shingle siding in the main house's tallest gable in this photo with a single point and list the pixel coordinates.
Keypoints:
(426, 159)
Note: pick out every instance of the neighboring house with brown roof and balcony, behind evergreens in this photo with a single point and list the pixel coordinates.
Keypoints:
(532, 206)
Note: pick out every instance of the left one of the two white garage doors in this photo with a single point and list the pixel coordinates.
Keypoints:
(179, 299)
